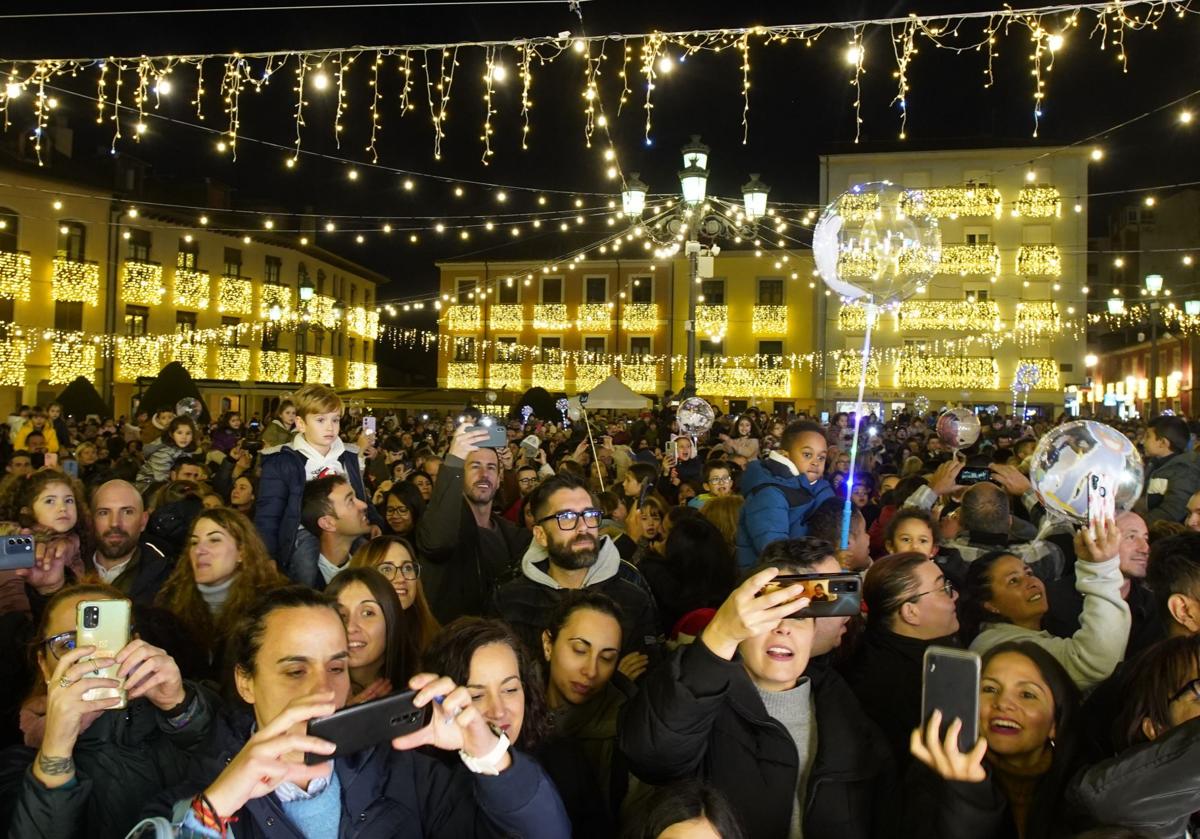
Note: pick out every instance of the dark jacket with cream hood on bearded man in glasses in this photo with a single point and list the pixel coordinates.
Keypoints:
(527, 601)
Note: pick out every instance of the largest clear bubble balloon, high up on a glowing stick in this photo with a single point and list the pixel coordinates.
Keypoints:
(879, 242)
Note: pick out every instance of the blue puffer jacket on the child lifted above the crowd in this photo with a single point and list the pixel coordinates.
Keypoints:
(778, 507)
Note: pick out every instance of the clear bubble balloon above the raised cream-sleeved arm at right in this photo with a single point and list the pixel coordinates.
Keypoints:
(1067, 456)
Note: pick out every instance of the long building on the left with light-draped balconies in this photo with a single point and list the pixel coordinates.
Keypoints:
(93, 286)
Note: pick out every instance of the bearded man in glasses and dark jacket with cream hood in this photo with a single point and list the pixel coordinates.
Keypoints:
(568, 553)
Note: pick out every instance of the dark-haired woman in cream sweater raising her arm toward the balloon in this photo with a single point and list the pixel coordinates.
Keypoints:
(1005, 602)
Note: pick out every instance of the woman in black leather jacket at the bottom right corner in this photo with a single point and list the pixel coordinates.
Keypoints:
(1153, 783)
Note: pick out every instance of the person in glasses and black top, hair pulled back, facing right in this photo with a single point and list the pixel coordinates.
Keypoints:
(910, 607)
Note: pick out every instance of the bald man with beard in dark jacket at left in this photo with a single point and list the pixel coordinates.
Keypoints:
(123, 559)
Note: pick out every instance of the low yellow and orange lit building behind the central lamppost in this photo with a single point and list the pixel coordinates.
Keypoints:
(511, 326)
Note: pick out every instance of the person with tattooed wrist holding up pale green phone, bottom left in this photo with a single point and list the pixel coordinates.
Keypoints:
(87, 769)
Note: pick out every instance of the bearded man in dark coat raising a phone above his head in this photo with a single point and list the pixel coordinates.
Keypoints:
(465, 546)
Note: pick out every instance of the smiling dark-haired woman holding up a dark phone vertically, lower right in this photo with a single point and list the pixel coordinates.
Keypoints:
(1013, 782)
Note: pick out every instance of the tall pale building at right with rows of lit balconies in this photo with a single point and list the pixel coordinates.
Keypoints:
(1007, 299)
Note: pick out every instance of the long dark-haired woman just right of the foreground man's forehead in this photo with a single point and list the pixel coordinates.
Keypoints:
(381, 658)
